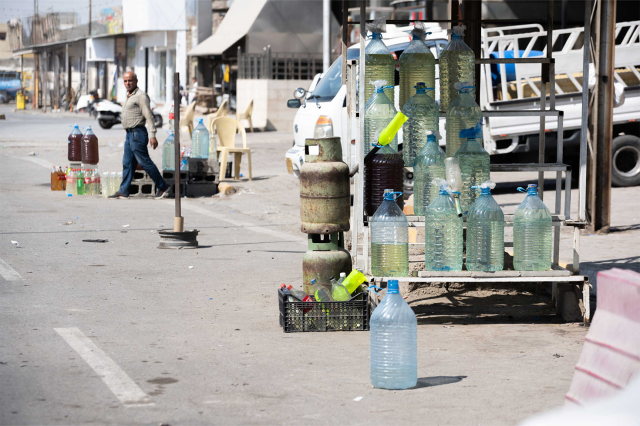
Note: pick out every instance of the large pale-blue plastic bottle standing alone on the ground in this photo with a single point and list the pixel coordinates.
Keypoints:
(394, 342)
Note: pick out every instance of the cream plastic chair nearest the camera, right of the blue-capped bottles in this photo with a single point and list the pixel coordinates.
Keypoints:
(225, 128)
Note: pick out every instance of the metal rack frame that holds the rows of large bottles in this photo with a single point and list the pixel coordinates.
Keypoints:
(360, 231)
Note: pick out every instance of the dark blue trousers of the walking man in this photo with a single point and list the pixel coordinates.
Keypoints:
(136, 152)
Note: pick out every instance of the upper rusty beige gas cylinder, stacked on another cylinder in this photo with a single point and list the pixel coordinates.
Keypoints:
(324, 188)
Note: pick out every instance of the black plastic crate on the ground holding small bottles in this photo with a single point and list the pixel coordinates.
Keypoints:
(351, 315)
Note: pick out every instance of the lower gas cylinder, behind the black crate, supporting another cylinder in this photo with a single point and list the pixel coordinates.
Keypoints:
(326, 258)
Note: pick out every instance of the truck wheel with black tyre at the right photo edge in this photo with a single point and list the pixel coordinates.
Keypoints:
(625, 170)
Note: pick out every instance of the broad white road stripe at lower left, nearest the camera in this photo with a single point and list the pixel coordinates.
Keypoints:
(122, 386)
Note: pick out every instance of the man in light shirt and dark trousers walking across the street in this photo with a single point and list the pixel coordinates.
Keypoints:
(136, 112)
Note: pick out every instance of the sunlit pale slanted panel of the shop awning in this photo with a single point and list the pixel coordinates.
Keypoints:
(235, 25)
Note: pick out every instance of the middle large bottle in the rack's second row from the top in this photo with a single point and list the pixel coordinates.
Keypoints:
(423, 116)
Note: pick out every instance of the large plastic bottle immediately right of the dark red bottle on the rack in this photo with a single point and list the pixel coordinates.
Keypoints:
(428, 165)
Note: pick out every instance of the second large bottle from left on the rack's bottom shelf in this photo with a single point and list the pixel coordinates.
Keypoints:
(442, 232)
